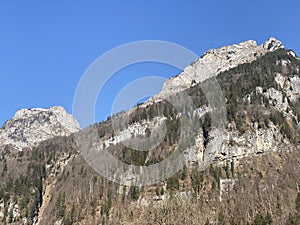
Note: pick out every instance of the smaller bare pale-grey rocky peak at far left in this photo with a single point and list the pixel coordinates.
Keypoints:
(30, 126)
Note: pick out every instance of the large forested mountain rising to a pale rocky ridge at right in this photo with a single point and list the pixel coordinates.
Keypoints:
(251, 178)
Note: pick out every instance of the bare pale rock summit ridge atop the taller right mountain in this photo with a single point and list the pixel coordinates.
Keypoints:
(216, 61)
